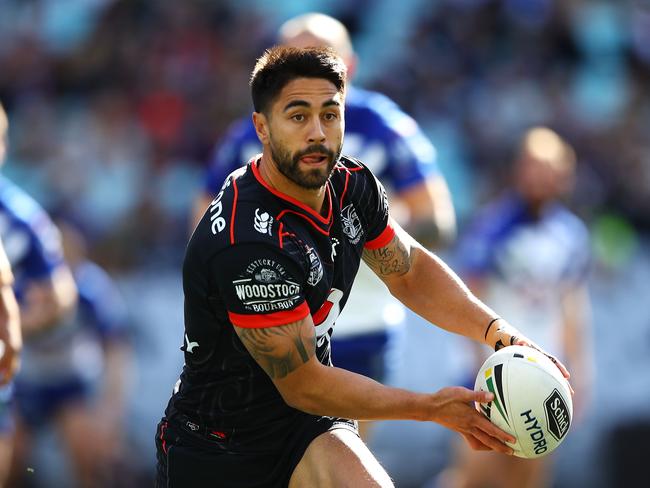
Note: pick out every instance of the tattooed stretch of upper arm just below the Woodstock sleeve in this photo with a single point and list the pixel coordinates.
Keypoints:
(279, 350)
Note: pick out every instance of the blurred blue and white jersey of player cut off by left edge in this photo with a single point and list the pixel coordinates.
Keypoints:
(31, 240)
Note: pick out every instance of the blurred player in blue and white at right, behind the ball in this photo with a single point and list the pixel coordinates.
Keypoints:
(528, 256)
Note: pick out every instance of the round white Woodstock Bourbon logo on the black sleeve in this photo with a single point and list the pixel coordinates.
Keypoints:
(265, 287)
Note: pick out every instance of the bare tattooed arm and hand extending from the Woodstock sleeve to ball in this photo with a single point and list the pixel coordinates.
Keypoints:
(287, 354)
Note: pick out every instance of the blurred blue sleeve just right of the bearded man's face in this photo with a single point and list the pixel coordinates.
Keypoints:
(411, 157)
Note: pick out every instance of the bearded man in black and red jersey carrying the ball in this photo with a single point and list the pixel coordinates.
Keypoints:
(267, 271)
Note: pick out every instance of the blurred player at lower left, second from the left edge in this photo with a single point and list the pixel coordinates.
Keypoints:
(75, 378)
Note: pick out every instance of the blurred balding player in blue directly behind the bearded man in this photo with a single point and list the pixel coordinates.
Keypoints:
(390, 142)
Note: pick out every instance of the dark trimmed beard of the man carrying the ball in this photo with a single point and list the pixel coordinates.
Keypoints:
(311, 179)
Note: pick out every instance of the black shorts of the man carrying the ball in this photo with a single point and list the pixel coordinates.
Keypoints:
(188, 459)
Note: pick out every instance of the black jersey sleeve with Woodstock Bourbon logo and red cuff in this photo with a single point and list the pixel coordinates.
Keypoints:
(261, 286)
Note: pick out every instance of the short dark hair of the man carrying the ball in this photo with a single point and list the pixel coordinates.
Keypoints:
(280, 65)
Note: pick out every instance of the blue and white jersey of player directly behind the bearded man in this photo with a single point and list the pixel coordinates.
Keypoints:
(392, 145)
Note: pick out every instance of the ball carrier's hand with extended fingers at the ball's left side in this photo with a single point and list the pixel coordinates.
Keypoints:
(454, 409)
